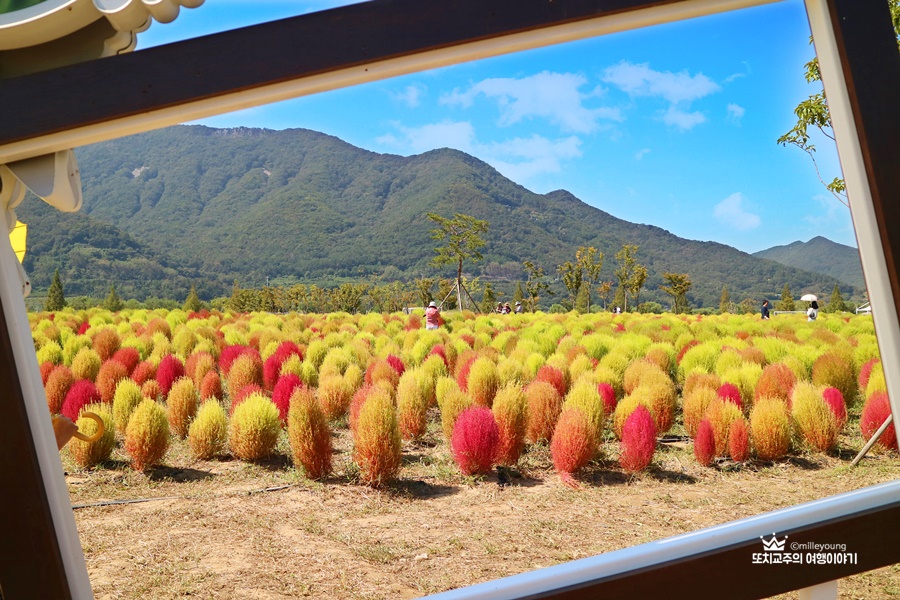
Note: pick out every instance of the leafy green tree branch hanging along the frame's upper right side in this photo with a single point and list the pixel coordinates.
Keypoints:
(813, 113)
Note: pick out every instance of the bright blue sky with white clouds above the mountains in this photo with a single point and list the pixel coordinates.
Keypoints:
(673, 125)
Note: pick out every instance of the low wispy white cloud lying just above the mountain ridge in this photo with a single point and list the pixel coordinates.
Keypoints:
(520, 159)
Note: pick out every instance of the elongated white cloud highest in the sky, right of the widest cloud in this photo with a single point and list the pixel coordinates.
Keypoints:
(641, 80)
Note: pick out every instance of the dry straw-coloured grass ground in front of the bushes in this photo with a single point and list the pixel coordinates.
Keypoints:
(218, 535)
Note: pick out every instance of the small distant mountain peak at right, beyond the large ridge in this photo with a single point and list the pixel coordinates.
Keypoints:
(820, 255)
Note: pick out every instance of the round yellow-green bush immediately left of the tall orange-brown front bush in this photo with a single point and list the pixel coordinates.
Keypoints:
(254, 428)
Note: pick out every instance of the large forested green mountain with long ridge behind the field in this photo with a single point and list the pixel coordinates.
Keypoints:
(249, 204)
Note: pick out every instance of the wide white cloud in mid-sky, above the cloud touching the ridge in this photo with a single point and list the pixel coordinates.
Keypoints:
(552, 96)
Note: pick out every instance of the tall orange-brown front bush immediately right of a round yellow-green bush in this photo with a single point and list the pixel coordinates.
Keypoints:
(309, 434)
